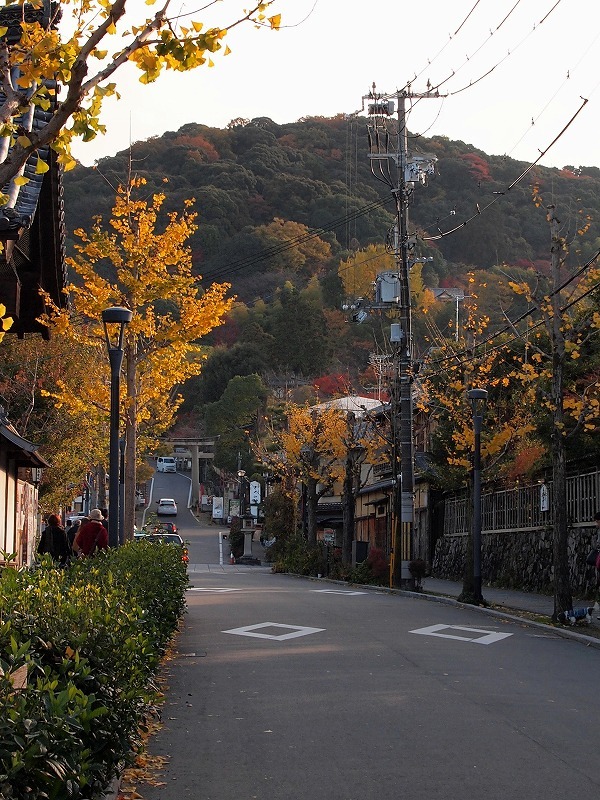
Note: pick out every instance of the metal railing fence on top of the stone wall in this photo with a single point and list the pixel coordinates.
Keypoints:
(526, 508)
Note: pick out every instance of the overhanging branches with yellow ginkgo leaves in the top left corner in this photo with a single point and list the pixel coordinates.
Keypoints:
(83, 54)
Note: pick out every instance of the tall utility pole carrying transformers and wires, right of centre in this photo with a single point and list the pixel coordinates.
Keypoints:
(409, 169)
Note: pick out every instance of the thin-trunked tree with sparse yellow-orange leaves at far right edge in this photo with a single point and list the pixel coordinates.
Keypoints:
(565, 322)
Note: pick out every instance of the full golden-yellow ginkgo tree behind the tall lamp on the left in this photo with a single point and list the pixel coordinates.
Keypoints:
(133, 264)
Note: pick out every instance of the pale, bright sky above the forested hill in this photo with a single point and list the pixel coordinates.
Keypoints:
(515, 73)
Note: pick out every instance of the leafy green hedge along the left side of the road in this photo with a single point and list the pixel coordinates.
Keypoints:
(89, 639)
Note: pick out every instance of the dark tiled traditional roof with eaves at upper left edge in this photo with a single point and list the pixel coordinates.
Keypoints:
(32, 226)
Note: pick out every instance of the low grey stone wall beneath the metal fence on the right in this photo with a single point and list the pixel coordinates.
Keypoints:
(519, 560)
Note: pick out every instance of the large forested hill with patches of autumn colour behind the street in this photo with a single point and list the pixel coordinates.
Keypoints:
(261, 187)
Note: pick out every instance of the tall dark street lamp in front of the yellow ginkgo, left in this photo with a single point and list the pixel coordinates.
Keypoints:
(114, 320)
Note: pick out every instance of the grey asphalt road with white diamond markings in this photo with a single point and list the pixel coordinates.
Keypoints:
(291, 688)
